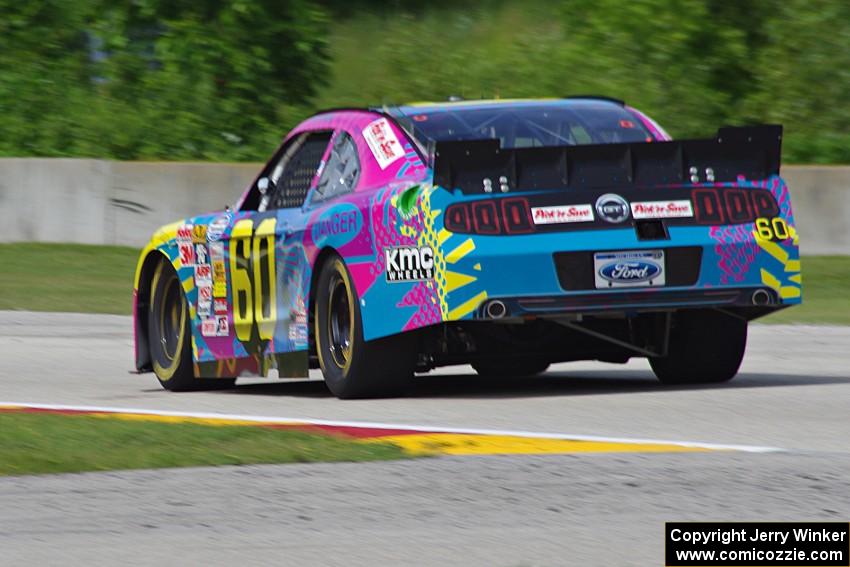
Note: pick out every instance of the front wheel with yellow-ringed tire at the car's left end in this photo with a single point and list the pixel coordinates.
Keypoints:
(169, 335)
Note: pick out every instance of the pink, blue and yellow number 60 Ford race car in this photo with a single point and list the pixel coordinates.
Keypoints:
(381, 242)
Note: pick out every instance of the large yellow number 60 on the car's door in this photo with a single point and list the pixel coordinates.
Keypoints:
(254, 298)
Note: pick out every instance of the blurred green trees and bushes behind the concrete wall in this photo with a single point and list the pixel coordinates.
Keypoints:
(224, 79)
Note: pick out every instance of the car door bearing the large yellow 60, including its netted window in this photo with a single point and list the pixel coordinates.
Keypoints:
(268, 265)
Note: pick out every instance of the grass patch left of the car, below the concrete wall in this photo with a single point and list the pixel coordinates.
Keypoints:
(67, 277)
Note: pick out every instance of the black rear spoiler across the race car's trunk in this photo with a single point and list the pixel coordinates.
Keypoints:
(751, 151)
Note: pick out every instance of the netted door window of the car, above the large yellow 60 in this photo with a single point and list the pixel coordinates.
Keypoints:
(291, 177)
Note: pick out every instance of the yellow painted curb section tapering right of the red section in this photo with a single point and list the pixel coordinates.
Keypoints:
(470, 444)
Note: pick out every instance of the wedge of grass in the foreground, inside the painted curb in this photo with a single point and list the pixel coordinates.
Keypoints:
(47, 443)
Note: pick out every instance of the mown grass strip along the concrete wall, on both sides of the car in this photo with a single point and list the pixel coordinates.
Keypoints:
(99, 279)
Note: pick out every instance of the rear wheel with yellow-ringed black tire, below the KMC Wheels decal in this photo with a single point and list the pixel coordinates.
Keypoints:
(353, 367)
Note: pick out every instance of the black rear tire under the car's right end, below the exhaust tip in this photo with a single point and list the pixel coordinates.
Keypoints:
(705, 347)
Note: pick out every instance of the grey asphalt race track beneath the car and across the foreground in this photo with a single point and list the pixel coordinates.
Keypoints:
(793, 394)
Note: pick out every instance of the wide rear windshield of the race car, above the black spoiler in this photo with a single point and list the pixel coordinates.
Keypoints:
(528, 126)
